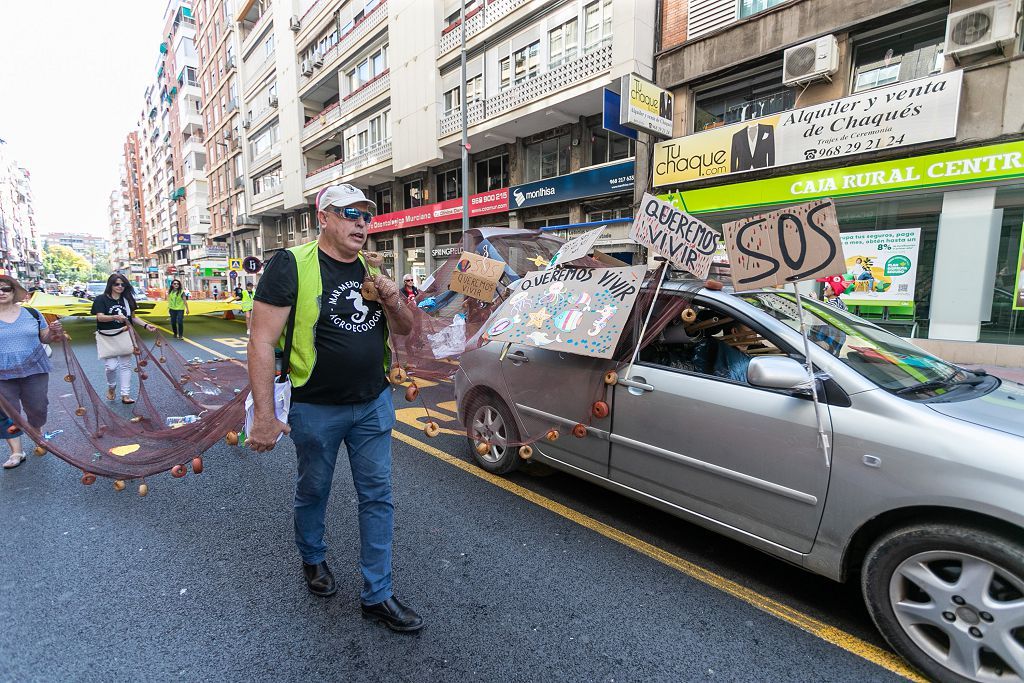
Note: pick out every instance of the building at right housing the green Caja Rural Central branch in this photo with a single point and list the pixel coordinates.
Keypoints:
(906, 113)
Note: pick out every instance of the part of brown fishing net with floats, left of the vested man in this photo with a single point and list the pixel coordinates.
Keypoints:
(184, 408)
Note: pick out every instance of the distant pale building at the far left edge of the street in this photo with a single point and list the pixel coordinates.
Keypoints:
(20, 252)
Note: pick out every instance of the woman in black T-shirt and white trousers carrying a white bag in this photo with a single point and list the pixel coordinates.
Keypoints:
(115, 310)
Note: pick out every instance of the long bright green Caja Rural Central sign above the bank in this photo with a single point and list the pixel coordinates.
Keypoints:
(996, 162)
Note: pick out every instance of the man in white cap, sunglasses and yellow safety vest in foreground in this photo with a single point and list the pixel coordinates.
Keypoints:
(338, 361)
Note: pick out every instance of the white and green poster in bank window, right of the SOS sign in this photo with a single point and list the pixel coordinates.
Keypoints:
(881, 267)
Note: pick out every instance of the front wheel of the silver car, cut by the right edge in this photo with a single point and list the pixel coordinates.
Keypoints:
(951, 601)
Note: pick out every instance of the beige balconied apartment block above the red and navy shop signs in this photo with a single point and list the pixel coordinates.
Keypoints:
(368, 93)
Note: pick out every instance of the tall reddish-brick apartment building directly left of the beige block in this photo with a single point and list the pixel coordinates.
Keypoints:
(233, 233)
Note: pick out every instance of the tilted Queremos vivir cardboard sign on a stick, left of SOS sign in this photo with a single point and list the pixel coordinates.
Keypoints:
(675, 235)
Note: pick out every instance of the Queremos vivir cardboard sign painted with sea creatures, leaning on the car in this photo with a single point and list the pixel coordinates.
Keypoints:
(577, 311)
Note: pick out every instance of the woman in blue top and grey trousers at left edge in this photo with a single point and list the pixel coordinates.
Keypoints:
(25, 367)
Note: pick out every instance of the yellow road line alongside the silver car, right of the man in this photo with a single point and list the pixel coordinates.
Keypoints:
(816, 627)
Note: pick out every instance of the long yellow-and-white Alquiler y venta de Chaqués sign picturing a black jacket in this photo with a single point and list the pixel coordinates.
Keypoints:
(901, 115)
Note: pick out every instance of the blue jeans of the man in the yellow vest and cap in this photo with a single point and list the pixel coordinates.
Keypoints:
(366, 430)
